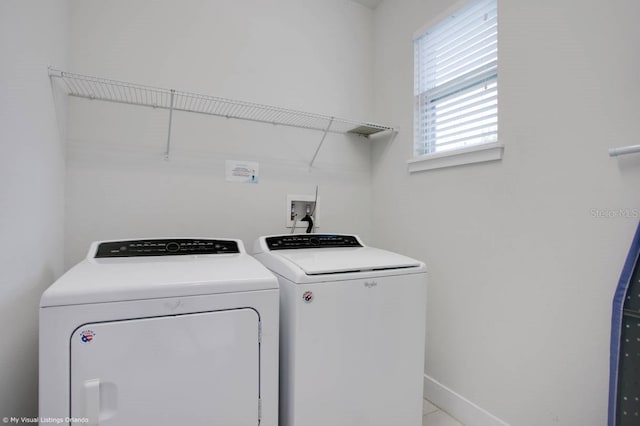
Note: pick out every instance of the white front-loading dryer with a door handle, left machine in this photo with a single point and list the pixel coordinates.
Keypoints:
(161, 332)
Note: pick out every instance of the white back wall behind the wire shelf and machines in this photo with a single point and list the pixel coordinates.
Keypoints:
(301, 54)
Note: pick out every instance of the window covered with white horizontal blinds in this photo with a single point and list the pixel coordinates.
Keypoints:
(456, 81)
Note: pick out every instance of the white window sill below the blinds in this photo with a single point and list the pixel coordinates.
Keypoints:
(459, 157)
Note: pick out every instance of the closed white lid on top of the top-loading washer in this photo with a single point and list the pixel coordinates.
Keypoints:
(345, 260)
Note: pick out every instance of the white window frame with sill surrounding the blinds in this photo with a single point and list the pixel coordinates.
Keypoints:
(482, 152)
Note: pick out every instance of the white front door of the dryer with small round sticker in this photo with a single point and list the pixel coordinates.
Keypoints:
(194, 369)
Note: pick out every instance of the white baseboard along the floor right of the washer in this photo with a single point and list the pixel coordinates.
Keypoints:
(458, 406)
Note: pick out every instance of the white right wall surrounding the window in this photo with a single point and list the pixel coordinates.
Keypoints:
(522, 273)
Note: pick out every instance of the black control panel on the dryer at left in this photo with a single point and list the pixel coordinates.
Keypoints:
(165, 247)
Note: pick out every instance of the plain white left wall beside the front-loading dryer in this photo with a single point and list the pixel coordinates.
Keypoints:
(33, 34)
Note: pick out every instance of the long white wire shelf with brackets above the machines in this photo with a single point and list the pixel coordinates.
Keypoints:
(90, 87)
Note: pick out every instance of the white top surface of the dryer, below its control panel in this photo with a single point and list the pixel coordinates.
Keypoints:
(99, 280)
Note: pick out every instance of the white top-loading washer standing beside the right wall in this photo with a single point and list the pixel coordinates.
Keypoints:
(352, 324)
